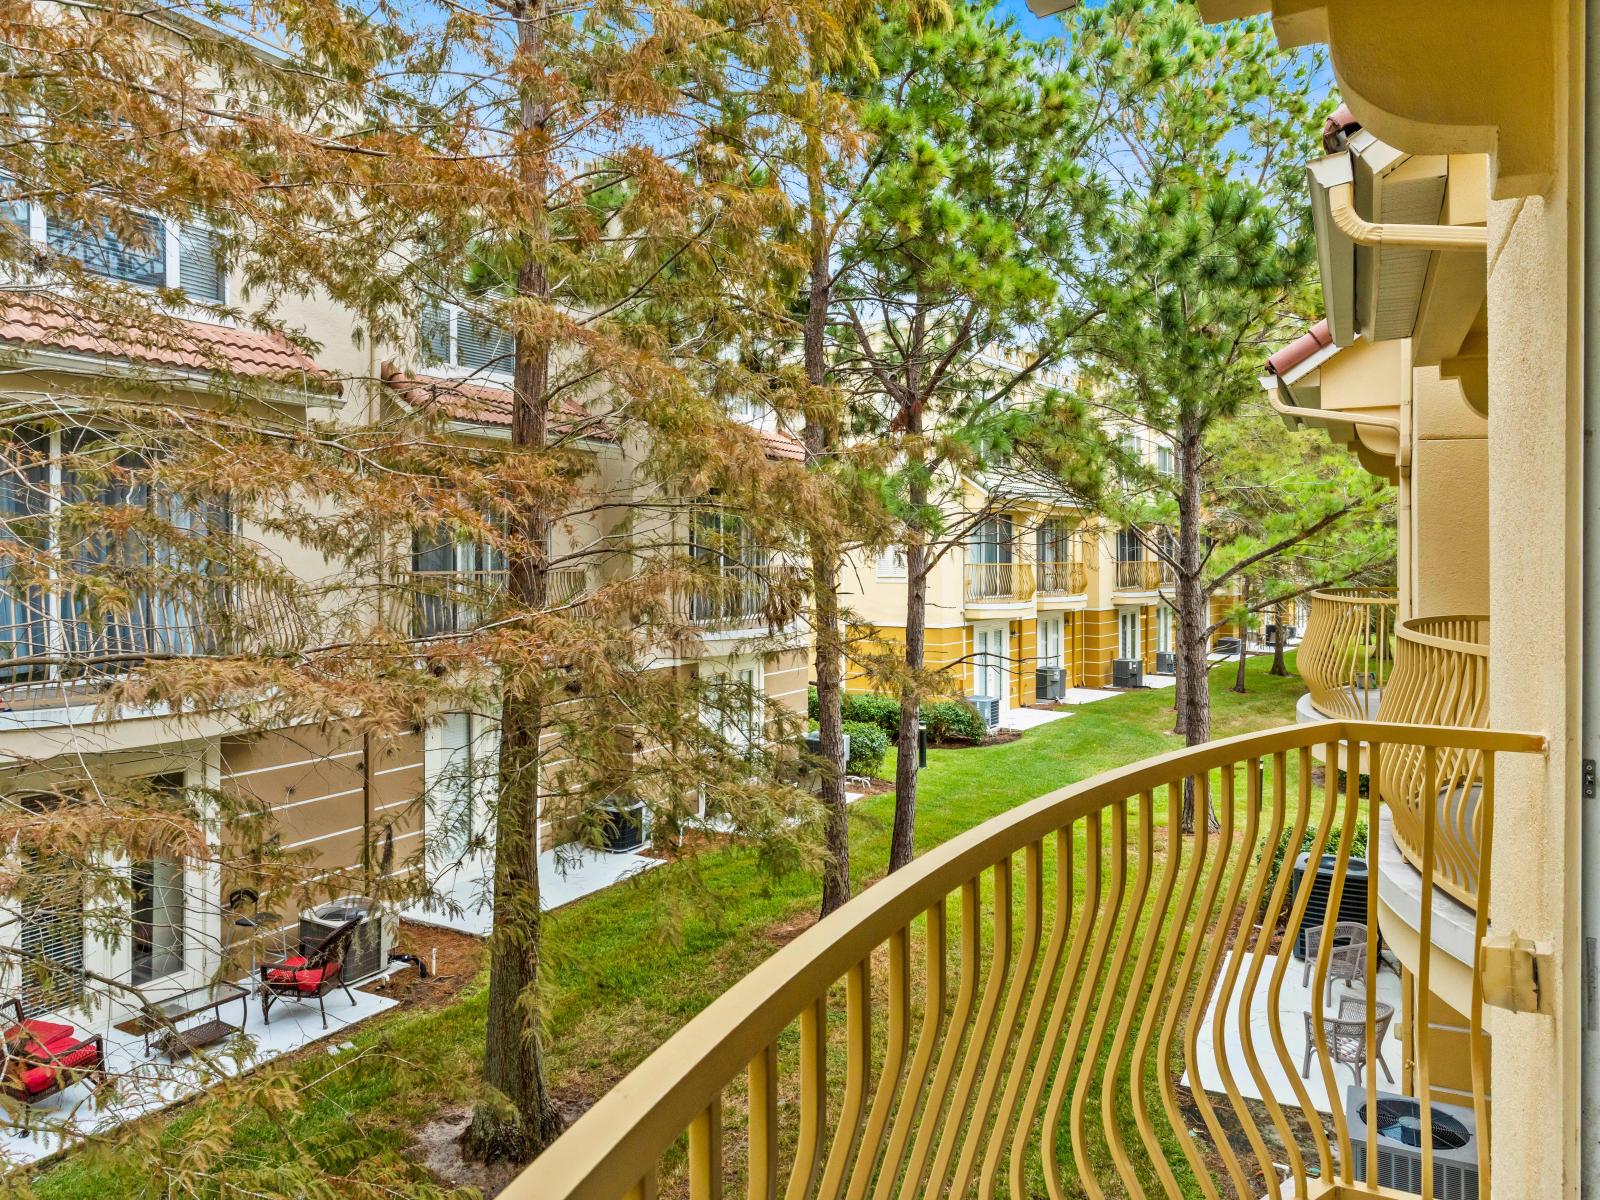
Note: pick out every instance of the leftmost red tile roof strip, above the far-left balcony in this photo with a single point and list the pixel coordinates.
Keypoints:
(186, 345)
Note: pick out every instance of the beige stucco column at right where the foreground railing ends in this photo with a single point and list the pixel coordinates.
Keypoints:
(1535, 649)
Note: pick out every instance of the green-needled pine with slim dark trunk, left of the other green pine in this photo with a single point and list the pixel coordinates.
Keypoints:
(961, 295)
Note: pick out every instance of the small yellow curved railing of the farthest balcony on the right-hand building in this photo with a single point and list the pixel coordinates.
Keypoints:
(1348, 650)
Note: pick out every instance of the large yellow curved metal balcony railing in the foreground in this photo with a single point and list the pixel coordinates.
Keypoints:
(1065, 1001)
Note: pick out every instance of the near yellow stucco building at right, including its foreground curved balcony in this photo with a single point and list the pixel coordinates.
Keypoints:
(1145, 1022)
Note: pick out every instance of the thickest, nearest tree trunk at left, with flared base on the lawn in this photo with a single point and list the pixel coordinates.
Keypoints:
(516, 1116)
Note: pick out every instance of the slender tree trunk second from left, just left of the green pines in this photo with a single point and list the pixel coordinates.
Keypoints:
(825, 554)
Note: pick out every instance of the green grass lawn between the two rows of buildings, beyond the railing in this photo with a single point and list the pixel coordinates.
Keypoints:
(626, 969)
